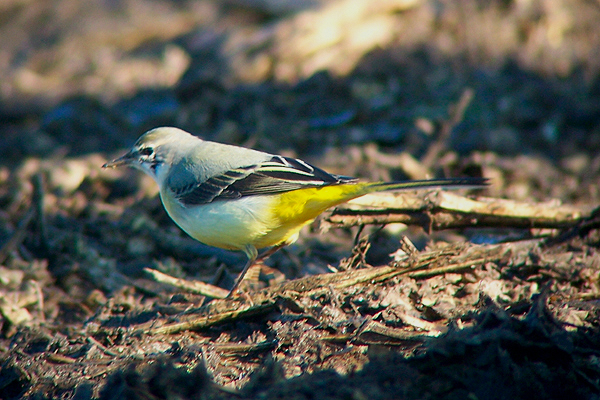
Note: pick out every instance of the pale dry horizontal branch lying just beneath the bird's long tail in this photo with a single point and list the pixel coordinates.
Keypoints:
(446, 210)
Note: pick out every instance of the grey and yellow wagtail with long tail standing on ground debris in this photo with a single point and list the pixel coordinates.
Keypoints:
(241, 199)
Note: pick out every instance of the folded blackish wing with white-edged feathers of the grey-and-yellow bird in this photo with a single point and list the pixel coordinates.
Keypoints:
(277, 175)
